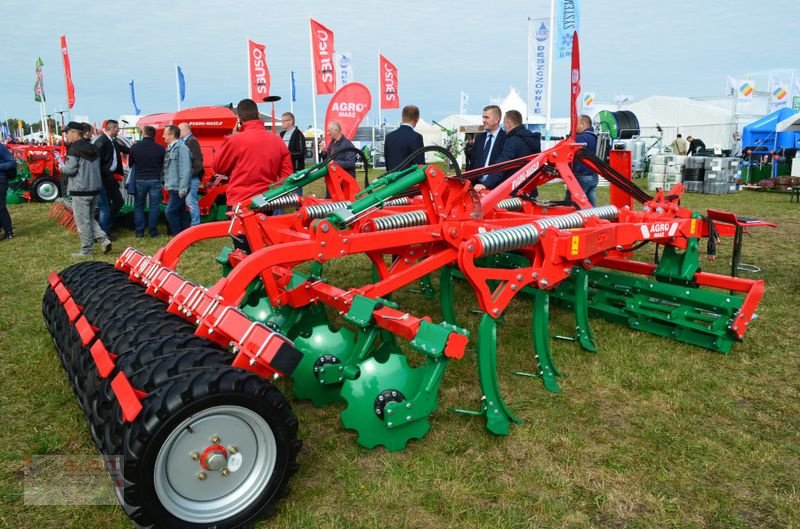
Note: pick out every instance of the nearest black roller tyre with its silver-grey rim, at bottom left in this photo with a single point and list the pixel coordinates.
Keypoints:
(162, 484)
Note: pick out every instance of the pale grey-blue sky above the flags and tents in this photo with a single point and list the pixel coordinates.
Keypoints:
(633, 47)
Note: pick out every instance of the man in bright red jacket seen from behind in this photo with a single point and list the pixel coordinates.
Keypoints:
(252, 158)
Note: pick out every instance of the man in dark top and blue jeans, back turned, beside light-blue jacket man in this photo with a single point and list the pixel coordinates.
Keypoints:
(146, 161)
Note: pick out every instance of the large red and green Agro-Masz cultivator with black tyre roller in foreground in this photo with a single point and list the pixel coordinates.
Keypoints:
(175, 378)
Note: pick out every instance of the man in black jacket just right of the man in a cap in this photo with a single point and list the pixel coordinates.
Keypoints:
(110, 168)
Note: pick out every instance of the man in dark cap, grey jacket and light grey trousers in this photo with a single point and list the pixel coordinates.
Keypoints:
(82, 167)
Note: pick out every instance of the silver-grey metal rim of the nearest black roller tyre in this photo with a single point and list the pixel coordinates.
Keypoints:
(216, 497)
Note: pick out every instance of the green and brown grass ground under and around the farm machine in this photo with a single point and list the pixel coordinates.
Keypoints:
(646, 433)
